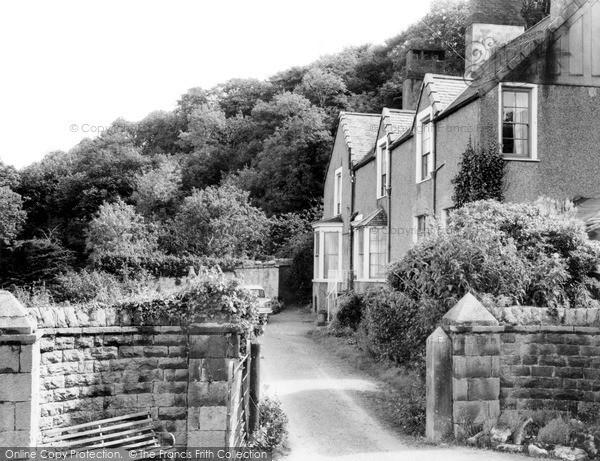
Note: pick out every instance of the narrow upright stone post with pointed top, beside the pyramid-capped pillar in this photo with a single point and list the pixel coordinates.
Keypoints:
(439, 386)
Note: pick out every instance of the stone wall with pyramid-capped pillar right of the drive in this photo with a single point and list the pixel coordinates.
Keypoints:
(517, 359)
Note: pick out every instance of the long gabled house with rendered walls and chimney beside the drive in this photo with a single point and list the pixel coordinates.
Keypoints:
(535, 93)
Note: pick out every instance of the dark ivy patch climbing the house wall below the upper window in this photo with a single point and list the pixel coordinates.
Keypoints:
(481, 175)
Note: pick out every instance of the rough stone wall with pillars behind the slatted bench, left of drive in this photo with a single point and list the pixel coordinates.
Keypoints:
(75, 365)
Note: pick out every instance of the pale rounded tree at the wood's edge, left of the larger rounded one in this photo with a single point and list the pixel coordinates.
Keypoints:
(118, 229)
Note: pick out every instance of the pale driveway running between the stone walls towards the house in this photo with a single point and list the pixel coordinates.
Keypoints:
(324, 398)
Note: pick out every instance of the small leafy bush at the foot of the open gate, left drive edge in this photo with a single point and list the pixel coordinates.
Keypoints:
(272, 431)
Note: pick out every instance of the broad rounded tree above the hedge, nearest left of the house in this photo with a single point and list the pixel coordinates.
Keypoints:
(219, 221)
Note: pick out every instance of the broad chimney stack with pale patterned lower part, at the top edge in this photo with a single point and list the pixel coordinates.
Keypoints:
(492, 23)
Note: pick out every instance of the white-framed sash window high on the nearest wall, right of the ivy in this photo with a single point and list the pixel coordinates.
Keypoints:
(518, 121)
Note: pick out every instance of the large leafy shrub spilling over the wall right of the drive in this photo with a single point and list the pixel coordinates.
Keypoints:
(529, 254)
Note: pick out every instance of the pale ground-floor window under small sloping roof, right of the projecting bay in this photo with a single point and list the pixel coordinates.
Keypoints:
(370, 253)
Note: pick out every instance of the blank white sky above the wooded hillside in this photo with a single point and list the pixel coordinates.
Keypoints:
(70, 68)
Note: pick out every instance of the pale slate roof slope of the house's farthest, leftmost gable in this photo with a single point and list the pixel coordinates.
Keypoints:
(360, 132)
